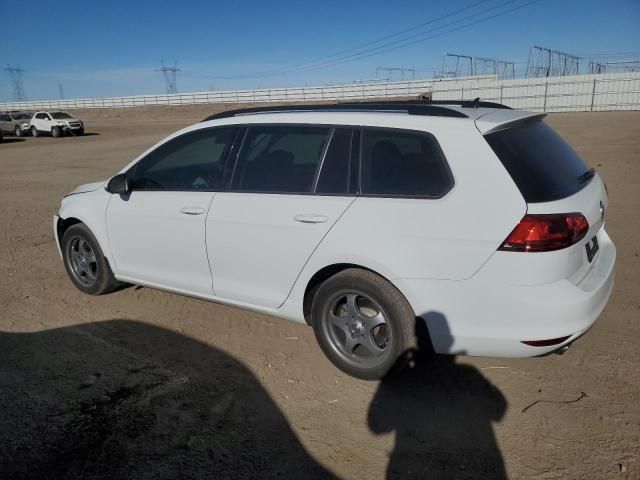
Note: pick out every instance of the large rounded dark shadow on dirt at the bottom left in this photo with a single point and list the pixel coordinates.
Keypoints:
(123, 399)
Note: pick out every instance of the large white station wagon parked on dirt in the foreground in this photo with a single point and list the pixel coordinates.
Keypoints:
(361, 220)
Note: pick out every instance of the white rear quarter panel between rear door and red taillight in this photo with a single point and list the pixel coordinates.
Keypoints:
(448, 238)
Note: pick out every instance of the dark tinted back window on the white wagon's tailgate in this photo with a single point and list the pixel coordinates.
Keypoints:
(542, 165)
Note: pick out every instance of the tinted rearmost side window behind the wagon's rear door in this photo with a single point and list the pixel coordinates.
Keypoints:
(403, 163)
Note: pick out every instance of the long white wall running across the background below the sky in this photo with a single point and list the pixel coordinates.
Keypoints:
(618, 91)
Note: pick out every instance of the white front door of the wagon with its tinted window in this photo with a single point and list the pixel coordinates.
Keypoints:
(157, 232)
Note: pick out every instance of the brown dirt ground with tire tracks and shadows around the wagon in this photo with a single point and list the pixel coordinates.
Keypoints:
(146, 384)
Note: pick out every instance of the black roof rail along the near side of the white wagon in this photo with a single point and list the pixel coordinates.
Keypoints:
(410, 107)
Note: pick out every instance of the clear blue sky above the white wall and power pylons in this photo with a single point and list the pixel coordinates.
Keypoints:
(107, 48)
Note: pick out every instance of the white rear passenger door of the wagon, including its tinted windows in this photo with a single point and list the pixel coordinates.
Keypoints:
(289, 187)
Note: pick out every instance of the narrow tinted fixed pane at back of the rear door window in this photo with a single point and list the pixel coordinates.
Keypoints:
(334, 173)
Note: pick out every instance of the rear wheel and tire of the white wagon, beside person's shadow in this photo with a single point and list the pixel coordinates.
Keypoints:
(363, 324)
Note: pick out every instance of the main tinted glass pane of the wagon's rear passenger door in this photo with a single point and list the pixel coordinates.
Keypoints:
(281, 159)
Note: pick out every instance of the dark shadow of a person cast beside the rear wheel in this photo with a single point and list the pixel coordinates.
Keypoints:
(442, 414)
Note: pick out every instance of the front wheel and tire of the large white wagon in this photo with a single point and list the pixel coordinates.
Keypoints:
(85, 263)
